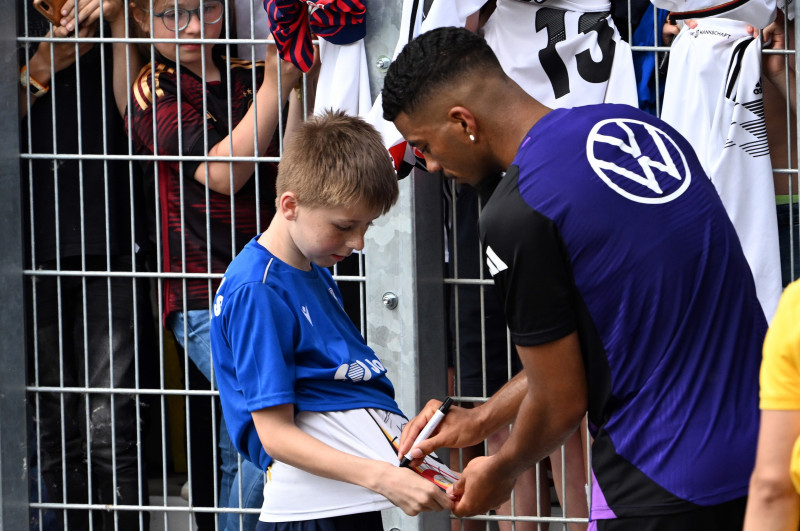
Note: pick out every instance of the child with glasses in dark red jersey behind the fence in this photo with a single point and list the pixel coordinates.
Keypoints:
(216, 113)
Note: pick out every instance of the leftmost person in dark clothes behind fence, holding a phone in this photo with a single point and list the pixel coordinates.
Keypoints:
(86, 329)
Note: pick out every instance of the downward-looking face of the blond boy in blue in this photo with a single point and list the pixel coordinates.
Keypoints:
(327, 235)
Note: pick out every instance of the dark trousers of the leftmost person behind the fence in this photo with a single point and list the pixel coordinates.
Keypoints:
(82, 341)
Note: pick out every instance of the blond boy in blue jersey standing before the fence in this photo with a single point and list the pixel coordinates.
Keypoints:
(302, 392)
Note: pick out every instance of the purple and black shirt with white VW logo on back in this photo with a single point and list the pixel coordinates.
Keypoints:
(627, 242)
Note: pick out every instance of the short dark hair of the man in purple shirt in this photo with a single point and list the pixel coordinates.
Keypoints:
(429, 63)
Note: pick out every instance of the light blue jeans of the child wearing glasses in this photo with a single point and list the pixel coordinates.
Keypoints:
(199, 351)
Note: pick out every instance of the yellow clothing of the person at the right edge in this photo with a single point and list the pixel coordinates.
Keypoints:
(780, 368)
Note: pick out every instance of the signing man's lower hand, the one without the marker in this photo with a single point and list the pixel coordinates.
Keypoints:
(483, 486)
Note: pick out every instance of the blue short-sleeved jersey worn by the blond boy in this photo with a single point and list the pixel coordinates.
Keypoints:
(279, 335)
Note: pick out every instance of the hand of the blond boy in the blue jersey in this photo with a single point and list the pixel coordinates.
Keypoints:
(411, 492)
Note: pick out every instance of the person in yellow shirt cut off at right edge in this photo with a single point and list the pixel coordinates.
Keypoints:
(774, 500)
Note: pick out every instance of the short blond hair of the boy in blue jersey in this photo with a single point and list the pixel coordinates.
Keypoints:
(335, 160)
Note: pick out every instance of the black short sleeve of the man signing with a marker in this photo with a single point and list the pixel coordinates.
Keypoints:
(529, 263)
